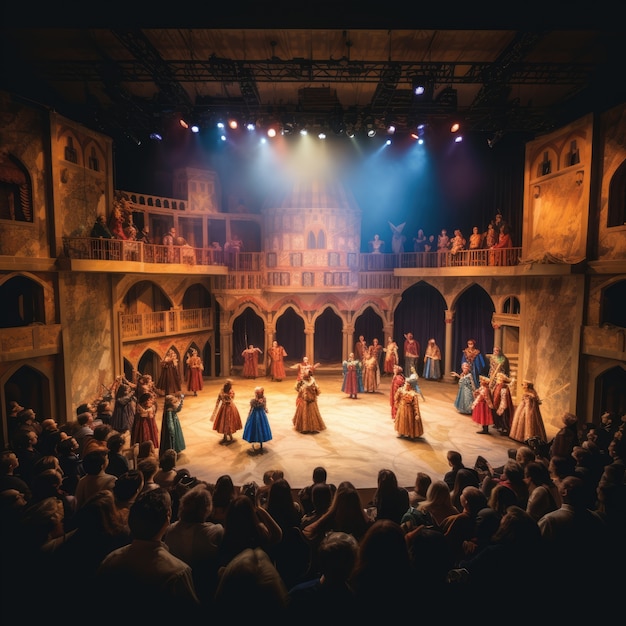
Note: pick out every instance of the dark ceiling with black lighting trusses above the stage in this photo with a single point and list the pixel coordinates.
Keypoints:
(128, 82)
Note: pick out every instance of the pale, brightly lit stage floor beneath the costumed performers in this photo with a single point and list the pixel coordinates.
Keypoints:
(359, 440)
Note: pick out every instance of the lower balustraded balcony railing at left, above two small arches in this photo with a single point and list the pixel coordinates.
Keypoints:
(156, 323)
